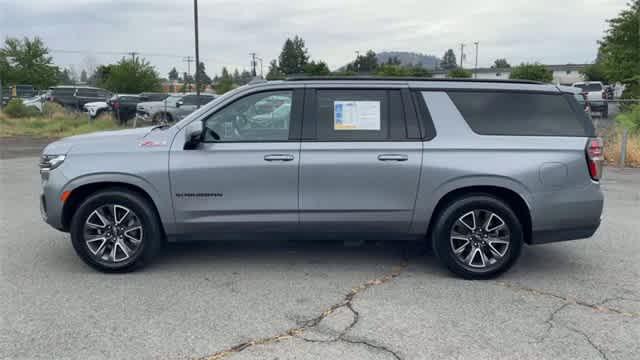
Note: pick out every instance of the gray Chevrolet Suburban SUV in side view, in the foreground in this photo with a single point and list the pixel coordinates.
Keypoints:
(474, 168)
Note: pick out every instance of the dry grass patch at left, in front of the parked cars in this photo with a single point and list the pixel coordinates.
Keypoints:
(55, 122)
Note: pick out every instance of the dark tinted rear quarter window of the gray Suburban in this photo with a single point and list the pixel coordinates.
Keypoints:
(523, 114)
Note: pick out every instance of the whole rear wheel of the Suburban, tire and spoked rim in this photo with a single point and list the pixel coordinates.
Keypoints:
(477, 237)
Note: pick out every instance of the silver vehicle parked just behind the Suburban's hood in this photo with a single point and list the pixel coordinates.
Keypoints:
(171, 109)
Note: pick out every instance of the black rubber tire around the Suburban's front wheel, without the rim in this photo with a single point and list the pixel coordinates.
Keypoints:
(152, 239)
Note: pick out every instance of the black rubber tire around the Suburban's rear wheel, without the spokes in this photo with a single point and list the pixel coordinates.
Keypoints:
(450, 215)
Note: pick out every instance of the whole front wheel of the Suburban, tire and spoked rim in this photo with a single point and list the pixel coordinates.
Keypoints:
(116, 231)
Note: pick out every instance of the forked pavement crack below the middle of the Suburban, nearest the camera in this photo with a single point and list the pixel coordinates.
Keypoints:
(297, 332)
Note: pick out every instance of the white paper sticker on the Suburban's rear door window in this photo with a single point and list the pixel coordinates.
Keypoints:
(356, 115)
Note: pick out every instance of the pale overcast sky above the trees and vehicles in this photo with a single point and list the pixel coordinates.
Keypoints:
(548, 31)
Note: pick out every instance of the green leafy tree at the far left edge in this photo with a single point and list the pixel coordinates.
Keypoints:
(27, 61)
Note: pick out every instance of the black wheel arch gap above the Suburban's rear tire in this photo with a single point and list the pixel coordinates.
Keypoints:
(509, 196)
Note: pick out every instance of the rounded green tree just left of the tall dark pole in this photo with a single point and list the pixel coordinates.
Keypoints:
(131, 76)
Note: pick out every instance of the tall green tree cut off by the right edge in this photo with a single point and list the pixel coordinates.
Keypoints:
(620, 49)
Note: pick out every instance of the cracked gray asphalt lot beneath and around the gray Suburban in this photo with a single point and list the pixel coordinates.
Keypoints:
(574, 300)
